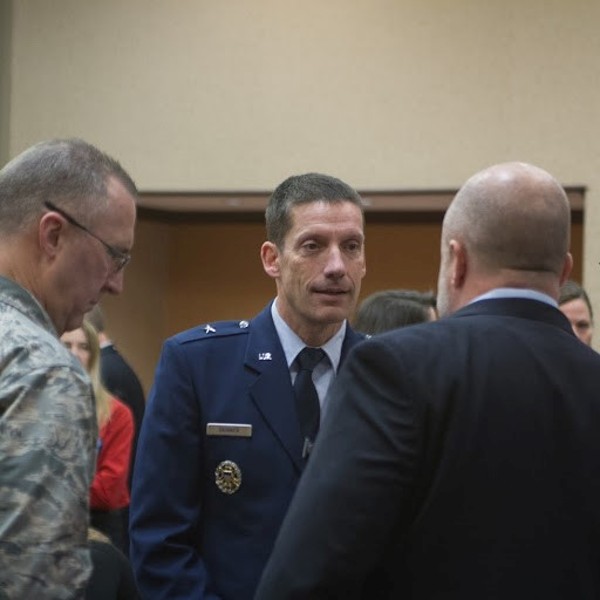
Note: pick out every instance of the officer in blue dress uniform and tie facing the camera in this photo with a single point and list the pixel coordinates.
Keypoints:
(224, 441)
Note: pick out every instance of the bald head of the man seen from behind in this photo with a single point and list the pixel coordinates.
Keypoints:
(508, 226)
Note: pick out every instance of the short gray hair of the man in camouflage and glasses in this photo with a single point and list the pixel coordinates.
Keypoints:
(68, 172)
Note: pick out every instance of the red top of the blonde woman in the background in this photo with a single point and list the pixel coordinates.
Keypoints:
(109, 489)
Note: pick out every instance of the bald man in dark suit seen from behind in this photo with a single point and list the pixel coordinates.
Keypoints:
(461, 459)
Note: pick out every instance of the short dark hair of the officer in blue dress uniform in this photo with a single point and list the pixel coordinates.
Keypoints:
(302, 189)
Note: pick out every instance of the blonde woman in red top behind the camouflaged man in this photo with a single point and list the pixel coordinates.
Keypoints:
(109, 492)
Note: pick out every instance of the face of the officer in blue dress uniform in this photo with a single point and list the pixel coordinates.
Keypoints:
(320, 267)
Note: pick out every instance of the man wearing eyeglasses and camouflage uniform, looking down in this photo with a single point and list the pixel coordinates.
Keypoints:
(67, 216)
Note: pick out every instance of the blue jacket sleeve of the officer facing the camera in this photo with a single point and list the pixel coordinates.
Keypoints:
(166, 499)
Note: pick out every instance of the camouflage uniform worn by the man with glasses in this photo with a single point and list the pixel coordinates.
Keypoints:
(48, 434)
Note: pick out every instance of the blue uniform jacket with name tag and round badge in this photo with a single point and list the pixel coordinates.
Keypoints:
(190, 539)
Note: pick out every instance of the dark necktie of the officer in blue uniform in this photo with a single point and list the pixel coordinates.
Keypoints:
(307, 399)
